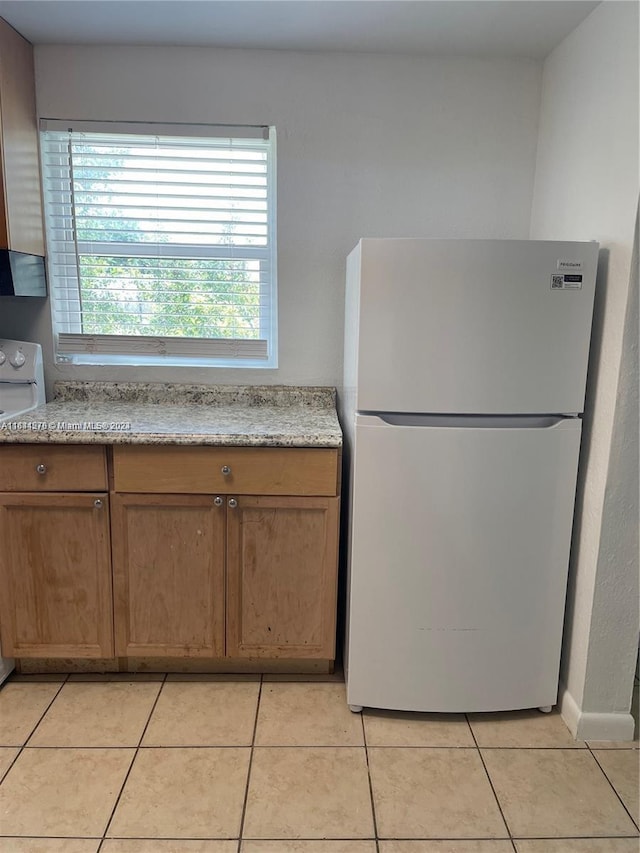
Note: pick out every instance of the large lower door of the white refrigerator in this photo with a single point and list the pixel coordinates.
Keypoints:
(459, 548)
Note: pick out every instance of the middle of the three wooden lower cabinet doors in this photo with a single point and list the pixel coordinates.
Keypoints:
(168, 556)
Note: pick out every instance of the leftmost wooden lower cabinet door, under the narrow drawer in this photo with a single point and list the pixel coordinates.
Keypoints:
(55, 571)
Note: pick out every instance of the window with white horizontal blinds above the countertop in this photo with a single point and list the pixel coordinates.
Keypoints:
(161, 243)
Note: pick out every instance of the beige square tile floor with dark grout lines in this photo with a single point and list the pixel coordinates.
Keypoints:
(223, 764)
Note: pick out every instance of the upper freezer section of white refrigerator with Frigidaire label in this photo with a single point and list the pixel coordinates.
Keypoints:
(469, 326)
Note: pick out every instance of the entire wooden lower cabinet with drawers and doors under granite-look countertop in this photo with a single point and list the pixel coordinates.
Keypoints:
(241, 576)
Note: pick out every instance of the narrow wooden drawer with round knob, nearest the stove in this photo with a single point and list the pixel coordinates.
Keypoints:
(52, 468)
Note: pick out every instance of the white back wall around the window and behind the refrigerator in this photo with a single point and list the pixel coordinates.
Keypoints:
(368, 145)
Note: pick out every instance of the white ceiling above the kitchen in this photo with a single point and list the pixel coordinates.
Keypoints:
(509, 28)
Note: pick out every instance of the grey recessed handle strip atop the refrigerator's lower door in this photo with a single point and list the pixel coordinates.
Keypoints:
(385, 419)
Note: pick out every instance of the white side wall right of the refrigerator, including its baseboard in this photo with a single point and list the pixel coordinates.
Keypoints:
(586, 188)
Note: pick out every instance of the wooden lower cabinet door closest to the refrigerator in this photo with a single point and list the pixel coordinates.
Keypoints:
(281, 577)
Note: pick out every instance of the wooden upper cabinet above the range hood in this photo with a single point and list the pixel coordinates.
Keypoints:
(21, 227)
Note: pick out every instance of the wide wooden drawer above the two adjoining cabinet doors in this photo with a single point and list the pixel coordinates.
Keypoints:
(251, 470)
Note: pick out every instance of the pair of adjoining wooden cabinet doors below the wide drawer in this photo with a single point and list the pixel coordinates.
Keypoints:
(169, 558)
